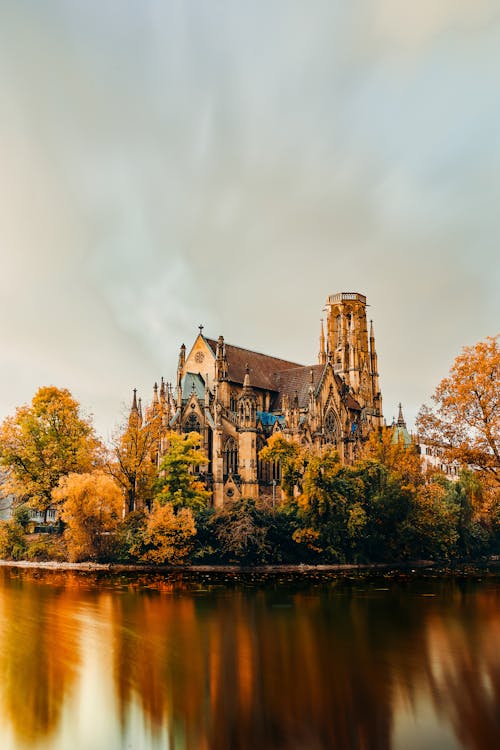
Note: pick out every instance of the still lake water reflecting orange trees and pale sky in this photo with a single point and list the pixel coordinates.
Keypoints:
(331, 665)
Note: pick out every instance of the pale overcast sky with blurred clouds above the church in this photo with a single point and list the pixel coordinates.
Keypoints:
(166, 163)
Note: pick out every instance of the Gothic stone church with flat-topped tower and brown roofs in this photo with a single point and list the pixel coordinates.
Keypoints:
(236, 398)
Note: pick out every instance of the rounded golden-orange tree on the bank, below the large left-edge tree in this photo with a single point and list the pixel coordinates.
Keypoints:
(92, 508)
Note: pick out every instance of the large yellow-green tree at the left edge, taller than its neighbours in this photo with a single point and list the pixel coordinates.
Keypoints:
(43, 442)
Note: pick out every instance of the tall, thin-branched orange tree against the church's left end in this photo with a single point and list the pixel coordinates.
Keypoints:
(133, 459)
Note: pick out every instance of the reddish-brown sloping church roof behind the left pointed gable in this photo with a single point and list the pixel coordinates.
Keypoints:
(262, 366)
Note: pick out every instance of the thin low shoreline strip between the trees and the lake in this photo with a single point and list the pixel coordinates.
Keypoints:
(464, 568)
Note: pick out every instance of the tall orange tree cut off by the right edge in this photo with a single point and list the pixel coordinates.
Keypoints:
(465, 420)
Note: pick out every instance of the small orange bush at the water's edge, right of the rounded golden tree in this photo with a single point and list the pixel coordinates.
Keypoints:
(169, 535)
